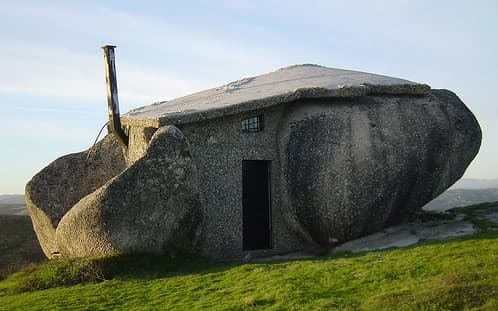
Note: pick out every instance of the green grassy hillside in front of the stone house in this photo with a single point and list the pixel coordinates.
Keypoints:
(459, 274)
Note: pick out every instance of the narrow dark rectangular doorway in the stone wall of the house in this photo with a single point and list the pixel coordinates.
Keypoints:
(256, 212)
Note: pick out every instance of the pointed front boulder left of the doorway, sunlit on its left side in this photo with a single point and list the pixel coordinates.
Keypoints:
(151, 207)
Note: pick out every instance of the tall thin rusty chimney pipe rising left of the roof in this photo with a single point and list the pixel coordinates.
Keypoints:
(112, 96)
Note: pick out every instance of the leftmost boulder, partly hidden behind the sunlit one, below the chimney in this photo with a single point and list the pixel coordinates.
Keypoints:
(54, 190)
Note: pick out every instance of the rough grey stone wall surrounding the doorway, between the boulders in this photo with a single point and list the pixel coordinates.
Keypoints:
(218, 148)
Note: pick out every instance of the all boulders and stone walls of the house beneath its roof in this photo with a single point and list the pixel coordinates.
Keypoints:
(341, 168)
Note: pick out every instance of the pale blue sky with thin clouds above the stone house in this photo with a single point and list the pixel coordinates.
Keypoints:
(52, 81)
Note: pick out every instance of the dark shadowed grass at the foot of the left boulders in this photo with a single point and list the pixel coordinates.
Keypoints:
(67, 272)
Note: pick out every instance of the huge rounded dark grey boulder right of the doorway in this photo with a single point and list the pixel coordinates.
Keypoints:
(354, 166)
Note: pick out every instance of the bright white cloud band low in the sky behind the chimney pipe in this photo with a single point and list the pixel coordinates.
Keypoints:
(60, 73)
